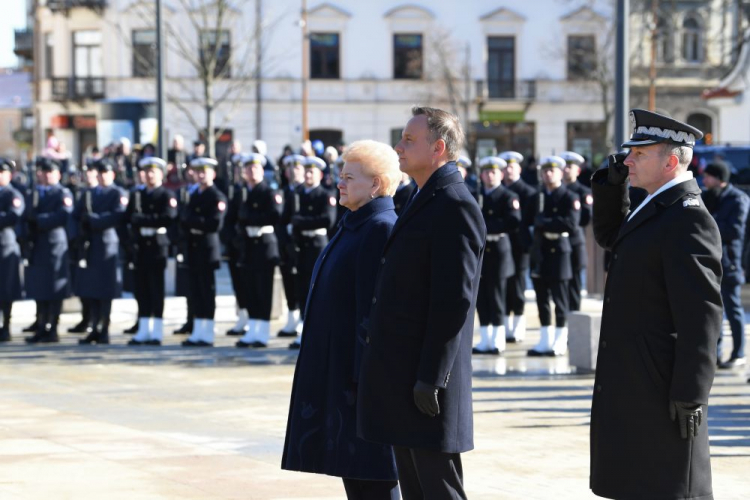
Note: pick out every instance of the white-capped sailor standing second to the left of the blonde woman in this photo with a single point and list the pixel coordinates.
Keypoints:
(294, 171)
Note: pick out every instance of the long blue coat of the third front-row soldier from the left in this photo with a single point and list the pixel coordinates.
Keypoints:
(99, 273)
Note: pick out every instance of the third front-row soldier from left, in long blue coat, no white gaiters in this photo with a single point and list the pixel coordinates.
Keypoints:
(98, 278)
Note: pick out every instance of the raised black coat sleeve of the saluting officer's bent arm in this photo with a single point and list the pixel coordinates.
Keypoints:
(611, 205)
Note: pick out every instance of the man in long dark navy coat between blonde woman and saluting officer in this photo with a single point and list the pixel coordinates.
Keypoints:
(415, 381)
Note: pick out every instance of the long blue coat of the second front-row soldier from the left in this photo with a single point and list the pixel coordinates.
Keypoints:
(45, 222)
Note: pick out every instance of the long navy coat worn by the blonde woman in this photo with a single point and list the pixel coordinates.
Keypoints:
(321, 430)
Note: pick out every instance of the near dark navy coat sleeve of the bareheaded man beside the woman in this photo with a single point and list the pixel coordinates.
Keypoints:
(455, 256)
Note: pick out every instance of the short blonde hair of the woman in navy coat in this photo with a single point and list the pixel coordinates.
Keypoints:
(377, 160)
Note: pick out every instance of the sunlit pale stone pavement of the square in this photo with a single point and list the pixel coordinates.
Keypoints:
(114, 422)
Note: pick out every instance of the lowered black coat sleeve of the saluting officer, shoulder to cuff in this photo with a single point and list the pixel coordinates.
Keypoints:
(691, 259)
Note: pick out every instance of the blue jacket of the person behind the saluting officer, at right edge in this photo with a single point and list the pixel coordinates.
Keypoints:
(730, 214)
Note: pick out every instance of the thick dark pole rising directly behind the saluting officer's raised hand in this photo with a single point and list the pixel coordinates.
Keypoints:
(622, 72)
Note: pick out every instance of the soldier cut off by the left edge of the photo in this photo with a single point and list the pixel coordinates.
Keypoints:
(11, 211)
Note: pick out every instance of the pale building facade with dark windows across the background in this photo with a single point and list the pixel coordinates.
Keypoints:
(520, 74)
